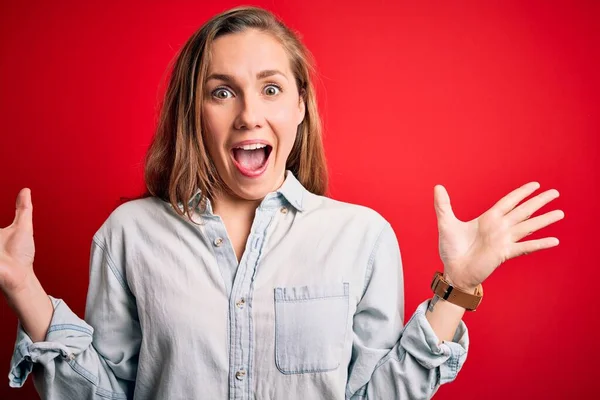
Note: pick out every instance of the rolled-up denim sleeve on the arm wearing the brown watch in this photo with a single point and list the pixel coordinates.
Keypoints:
(391, 360)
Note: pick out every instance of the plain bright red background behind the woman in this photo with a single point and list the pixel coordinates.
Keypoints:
(481, 97)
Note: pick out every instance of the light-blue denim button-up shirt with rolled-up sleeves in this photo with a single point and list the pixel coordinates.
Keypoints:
(313, 310)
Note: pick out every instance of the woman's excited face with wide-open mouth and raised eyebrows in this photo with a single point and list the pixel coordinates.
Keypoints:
(251, 112)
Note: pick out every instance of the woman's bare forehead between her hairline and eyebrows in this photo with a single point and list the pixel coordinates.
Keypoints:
(247, 53)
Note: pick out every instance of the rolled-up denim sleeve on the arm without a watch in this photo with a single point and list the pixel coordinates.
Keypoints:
(91, 358)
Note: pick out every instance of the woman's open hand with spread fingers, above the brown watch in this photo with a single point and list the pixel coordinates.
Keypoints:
(472, 250)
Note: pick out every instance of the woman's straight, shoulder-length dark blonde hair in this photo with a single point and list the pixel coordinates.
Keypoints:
(177, 162)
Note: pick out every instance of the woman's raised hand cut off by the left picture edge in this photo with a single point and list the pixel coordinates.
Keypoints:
(17, 248)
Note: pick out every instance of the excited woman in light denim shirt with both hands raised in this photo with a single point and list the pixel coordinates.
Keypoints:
(278, 292)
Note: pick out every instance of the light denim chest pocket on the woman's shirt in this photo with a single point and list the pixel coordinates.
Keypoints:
(310, 327)
